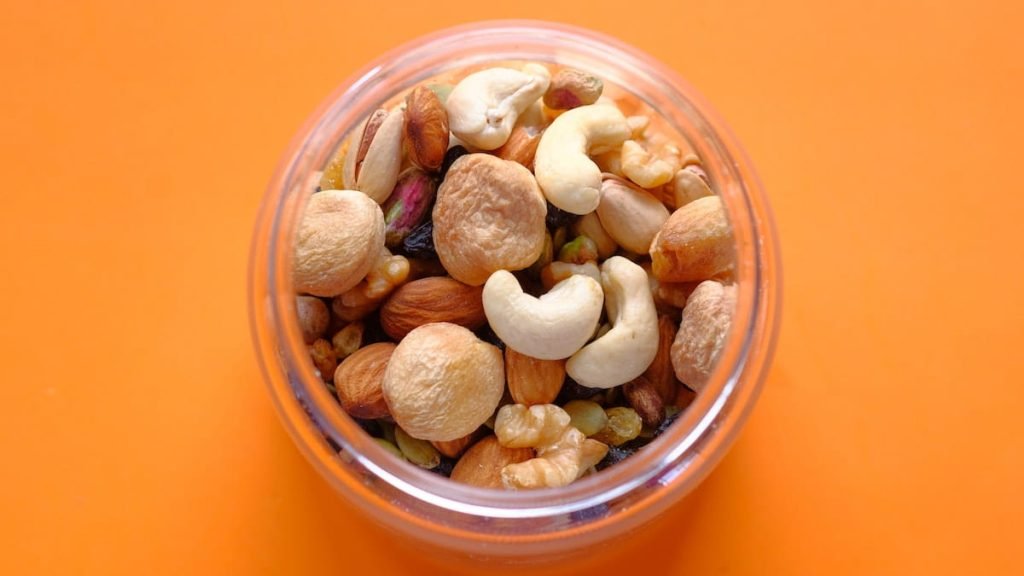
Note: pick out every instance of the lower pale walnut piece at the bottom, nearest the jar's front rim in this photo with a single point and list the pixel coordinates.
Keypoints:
(557, 465)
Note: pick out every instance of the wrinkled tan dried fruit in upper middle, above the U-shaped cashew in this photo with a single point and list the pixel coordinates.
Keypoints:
(489, 216)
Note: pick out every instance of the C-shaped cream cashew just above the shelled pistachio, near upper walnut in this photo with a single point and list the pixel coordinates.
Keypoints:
(568, 177)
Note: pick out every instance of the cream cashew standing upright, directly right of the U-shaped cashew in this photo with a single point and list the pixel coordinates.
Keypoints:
(626, 351)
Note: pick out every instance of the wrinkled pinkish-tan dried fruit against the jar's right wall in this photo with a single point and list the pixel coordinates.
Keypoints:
(703, 333)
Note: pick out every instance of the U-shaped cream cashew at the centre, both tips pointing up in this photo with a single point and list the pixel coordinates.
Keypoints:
(551, 327)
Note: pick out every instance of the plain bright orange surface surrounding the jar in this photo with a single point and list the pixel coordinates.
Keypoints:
(136, 432)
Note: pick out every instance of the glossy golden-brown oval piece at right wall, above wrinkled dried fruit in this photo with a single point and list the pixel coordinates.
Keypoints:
(695, 244)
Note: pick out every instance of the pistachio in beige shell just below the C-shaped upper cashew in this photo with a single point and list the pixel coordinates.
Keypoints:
(631, 217)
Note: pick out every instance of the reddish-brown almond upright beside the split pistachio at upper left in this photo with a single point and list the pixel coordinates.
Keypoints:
(426, 129)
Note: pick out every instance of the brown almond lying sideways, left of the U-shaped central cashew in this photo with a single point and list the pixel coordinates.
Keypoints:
(433, 300)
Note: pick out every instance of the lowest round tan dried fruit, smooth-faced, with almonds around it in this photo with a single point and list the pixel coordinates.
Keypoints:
(443, 383)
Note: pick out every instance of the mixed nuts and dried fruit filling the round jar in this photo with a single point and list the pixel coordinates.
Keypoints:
(517, 278)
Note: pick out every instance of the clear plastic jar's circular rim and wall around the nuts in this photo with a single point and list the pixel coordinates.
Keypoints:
(528, 525)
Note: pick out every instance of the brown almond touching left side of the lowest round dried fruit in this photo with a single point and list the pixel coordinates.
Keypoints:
(359, 379)
